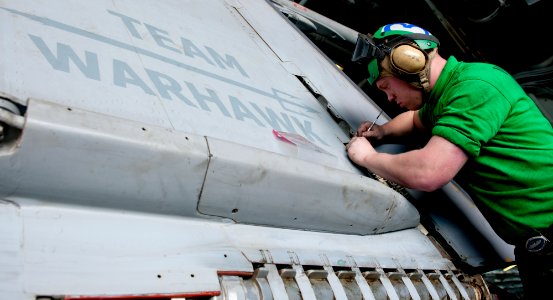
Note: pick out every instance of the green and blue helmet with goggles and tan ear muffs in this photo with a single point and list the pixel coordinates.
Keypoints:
(401, 50)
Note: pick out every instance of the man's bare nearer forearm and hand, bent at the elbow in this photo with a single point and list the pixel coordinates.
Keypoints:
(426, 169)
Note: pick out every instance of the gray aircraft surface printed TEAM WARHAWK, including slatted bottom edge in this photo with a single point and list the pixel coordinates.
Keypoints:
(195, 149)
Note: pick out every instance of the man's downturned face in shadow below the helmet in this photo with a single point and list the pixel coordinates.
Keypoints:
(400, 92)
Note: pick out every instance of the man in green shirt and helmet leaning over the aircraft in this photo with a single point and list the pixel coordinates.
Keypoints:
(484, 128)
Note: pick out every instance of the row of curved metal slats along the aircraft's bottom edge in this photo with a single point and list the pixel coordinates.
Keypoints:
(270, 281)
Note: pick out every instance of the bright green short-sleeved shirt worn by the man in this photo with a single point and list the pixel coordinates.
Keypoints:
(480, 108)
